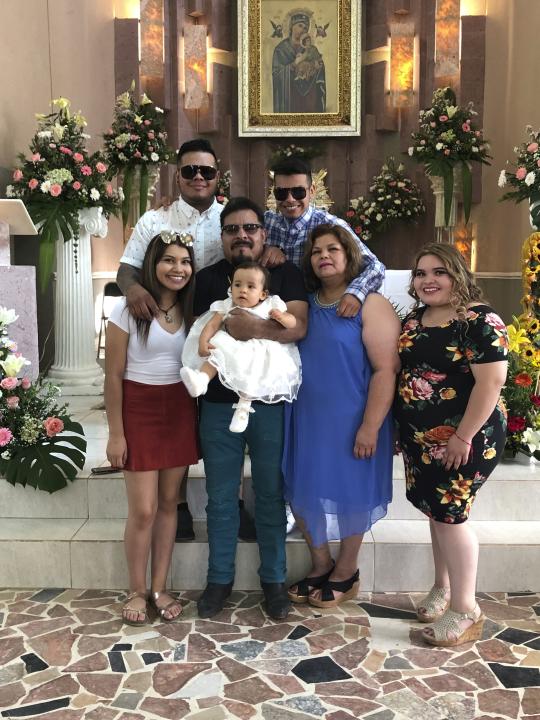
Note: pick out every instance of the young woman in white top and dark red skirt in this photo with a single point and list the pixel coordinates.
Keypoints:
(152, 419)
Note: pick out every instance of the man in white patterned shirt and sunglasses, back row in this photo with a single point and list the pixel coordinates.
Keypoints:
(196, 212)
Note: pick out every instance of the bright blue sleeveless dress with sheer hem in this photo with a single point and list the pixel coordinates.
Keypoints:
(334, 493)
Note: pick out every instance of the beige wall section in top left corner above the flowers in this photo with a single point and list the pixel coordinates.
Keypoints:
(24, 73)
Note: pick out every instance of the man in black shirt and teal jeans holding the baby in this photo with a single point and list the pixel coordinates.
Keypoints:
(243, 237)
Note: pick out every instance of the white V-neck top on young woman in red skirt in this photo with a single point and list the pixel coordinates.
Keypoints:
(159, 361)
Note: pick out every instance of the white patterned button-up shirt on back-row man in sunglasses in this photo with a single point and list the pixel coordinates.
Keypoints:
(179, 217)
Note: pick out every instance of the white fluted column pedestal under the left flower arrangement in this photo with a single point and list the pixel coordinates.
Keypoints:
(75, 367)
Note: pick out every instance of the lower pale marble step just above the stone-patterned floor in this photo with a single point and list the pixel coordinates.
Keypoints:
(396, 556)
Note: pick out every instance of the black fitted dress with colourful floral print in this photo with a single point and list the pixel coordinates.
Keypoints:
(434, 387)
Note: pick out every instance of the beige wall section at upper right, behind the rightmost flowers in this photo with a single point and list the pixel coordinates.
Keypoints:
(511, 102)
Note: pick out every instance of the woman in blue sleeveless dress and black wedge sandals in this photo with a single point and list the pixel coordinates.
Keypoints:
(337, 461)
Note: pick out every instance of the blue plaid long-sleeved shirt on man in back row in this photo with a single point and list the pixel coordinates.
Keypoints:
(291, 238)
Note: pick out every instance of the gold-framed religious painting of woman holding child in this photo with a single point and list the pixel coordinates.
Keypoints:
(299, 68)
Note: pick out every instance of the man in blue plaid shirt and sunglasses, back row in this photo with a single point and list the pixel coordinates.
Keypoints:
(288, 229)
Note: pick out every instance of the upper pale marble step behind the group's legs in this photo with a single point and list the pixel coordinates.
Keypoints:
(510, 494)
